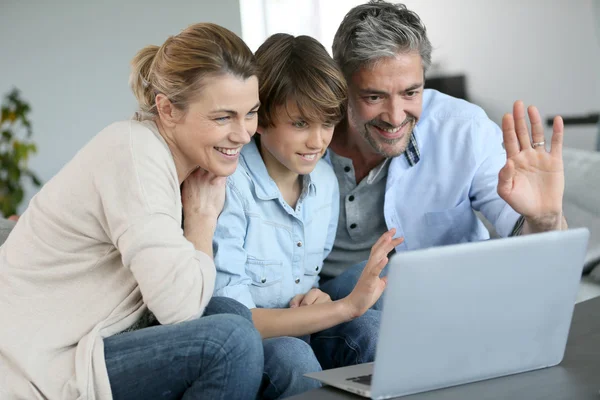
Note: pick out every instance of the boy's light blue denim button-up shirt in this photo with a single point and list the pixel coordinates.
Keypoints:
(265, 251)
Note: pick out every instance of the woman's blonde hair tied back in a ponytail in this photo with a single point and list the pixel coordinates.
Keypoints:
(177, 68)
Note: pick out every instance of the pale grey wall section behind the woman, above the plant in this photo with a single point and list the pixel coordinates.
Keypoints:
(70, 59)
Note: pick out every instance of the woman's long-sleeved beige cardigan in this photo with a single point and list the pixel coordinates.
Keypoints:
(105, 231)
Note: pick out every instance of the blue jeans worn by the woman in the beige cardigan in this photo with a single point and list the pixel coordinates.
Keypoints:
(212, 357)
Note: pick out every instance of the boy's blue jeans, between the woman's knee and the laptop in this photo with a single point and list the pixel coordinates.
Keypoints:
(287, 359)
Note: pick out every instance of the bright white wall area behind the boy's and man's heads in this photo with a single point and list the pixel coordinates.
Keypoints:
(545, 52)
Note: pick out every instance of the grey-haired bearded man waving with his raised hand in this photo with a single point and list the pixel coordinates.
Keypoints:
(421, 161)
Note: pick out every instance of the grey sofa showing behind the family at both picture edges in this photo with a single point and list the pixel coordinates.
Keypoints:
(581, 207)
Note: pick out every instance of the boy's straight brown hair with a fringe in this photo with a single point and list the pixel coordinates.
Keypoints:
(299, 69)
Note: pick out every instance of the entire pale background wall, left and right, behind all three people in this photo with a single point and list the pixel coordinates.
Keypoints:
(71, 59)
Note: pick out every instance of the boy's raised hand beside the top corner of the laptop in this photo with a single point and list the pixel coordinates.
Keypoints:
(370, 286)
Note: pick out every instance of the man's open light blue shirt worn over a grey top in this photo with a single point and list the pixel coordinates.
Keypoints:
(431, 203)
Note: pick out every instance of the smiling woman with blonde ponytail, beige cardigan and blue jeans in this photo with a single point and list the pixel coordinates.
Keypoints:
(101, 243)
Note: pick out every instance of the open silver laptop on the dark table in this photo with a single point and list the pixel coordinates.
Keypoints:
(468, 312)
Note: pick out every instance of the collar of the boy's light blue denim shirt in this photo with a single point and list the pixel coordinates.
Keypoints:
(266, 188)
